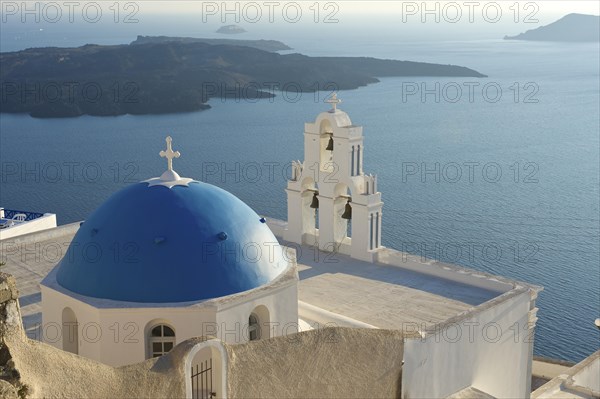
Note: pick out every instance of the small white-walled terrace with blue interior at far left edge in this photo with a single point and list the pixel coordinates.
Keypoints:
(17, 223)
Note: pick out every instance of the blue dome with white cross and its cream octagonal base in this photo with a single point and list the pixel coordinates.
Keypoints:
(165, 260)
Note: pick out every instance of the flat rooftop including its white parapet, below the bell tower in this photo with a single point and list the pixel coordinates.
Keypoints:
(397, 291)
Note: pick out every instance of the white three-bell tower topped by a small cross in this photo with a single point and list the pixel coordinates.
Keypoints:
(329, 191)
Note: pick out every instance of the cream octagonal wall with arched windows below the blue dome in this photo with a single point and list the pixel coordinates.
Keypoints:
(115, 333)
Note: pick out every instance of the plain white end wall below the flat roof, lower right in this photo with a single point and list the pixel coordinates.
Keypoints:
(492, 346)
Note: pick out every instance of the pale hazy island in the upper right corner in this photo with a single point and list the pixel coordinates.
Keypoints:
(570, 28)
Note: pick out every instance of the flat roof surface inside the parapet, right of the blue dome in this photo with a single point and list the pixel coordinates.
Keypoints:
(384, 296)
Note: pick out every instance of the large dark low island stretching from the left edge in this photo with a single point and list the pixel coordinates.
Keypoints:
(170, 76)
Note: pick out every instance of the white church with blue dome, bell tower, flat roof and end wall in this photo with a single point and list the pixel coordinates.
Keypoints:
(170, 259)
